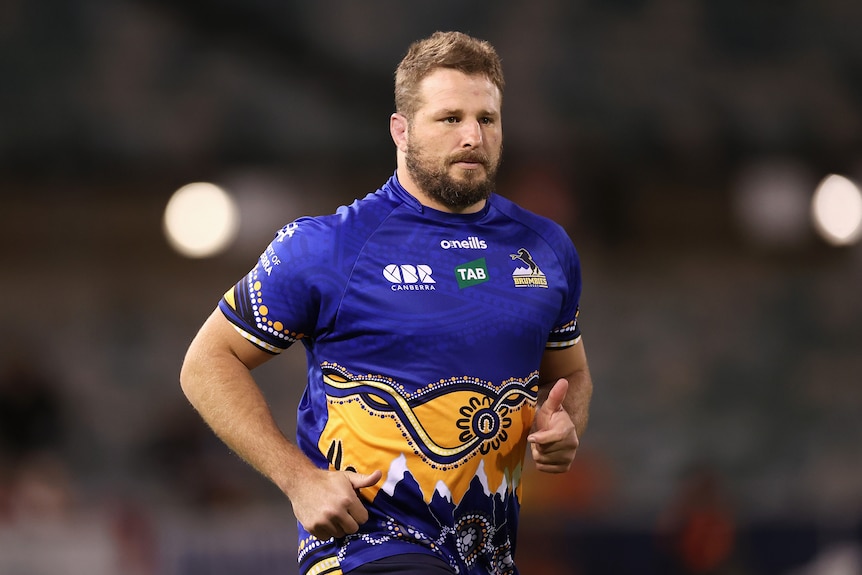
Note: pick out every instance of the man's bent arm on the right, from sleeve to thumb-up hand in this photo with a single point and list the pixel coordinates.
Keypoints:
(565, 389)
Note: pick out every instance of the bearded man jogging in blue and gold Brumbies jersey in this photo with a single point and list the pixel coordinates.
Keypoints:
(436, 317)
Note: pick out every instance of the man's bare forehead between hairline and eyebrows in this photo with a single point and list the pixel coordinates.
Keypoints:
(453, 90)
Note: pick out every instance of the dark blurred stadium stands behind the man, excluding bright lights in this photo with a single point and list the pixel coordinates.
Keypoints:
(679, 142)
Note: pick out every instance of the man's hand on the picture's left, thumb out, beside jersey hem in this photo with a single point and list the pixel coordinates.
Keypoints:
(327, 503)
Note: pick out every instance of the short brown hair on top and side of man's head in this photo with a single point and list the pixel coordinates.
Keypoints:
(453, 50)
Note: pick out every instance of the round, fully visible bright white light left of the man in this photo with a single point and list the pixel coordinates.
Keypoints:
(201, 220)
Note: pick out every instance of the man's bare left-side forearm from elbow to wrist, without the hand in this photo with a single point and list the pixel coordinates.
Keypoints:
(223, 391)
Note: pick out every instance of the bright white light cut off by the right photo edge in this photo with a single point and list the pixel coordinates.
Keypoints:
(836, 210)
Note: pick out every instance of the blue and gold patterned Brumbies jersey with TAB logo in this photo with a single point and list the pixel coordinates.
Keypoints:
(424, 332)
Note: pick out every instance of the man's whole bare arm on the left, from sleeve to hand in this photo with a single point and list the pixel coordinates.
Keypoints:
(216, 378)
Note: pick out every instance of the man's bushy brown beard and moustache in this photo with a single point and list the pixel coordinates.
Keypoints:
(456, 194)
